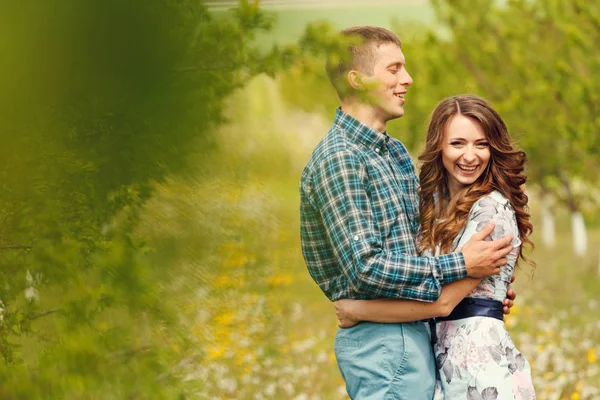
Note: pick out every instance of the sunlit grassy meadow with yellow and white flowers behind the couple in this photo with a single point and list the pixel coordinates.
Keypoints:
(263, 328)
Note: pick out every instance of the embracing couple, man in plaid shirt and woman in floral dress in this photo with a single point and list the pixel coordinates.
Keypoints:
(419, 268)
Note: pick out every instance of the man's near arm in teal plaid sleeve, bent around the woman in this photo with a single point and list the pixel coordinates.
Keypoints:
(341, 183)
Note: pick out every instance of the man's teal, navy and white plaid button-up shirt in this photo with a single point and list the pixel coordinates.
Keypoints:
(359, 219)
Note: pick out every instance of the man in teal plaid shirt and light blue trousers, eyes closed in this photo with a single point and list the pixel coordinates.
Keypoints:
(359, 222)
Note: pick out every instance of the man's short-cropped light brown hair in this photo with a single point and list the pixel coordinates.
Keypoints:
(358, 54)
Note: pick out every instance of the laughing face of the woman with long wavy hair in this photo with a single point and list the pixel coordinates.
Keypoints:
(465, 152)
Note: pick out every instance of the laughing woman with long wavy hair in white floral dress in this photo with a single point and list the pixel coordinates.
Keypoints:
(471, 174)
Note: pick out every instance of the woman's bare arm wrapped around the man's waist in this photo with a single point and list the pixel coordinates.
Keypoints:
(349, 312)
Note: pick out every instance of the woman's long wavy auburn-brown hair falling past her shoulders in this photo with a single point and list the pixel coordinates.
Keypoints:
(442, 217)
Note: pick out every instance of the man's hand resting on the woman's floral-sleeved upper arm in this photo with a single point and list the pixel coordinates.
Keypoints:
(485, 258)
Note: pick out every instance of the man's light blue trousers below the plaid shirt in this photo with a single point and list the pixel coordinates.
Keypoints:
(386, 361)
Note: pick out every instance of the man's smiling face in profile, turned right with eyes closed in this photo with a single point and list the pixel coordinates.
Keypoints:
(386, 87)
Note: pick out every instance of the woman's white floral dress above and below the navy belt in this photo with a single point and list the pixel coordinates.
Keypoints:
(476, 356)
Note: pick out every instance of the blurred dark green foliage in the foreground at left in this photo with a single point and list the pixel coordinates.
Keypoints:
(99, 100)
